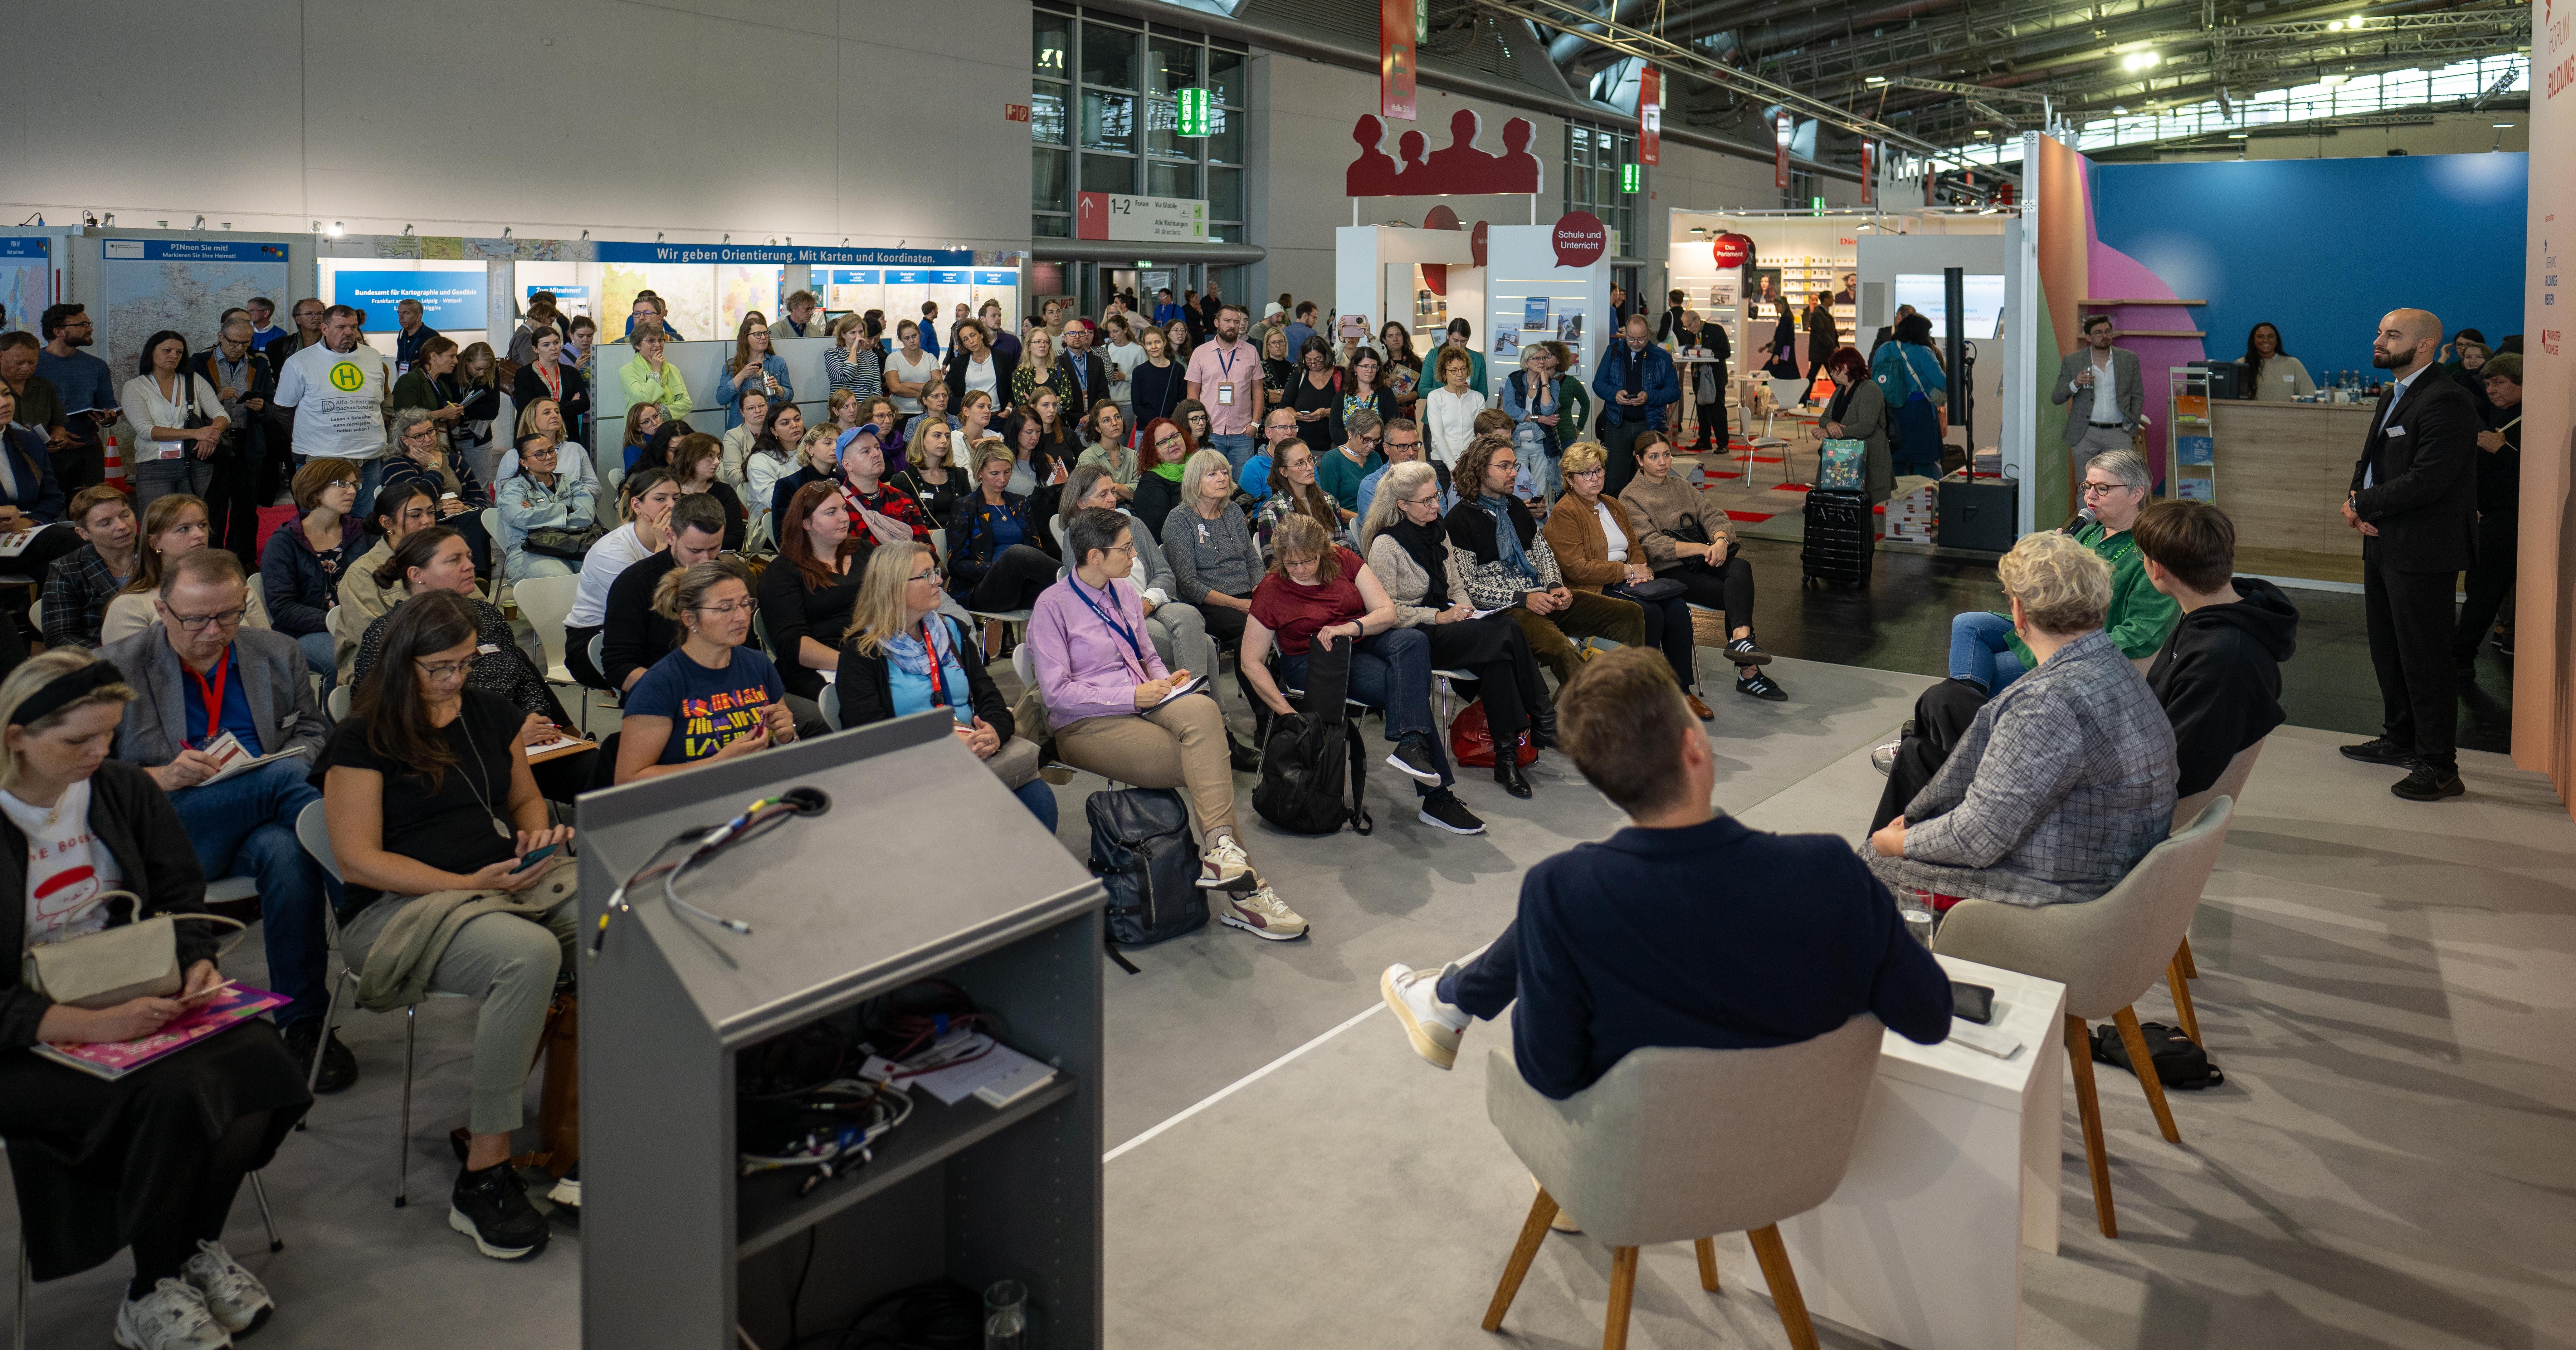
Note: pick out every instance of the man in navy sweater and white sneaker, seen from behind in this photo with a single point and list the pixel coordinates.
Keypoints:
(1686, 929)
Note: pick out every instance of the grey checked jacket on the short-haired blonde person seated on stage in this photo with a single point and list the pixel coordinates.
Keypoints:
(2057, 790)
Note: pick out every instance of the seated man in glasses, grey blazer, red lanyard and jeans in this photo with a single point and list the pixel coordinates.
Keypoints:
(200, 674)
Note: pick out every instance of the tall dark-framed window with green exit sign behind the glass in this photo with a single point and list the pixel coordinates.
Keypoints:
(1101, 117)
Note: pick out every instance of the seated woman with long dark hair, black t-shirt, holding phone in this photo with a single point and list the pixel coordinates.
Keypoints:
(434, 810)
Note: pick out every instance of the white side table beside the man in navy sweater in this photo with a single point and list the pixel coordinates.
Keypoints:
(1956, 1171)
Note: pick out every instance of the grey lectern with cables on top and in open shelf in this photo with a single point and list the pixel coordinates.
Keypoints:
(923, 867)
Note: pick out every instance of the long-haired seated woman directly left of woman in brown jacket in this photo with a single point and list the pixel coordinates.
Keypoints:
(1516, 571)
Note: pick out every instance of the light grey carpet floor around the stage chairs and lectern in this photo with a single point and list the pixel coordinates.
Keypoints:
(2389, 1161)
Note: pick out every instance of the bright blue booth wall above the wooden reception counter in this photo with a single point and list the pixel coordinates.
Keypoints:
(2322, 249)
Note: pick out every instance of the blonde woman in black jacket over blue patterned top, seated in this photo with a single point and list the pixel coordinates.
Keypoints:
(905, 656)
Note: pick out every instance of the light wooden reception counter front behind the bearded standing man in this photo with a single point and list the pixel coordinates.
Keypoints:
(2284, 470)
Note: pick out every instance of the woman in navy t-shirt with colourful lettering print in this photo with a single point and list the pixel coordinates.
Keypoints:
(715, 697)
